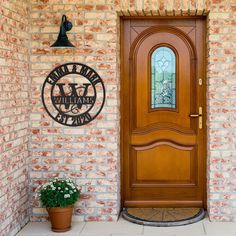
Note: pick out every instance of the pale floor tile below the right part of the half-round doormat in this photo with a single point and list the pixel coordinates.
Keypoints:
(193, 229)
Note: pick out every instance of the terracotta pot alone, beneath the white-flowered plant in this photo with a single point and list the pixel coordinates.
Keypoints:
(60, 218)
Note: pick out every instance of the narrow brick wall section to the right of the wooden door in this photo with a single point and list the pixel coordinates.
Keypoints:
(221, 95)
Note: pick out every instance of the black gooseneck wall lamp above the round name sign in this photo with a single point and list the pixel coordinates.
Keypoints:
(62, 39)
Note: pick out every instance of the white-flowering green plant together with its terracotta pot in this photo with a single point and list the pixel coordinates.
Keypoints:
(59, 196)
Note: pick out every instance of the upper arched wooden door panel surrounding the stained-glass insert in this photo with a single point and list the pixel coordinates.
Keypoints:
(143, 114)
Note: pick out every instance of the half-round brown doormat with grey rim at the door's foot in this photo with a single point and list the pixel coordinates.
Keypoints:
(164, 217)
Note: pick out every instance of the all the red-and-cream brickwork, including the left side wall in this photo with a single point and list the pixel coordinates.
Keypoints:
(90, 154)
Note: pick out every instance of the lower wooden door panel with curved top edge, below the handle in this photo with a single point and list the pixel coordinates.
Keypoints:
(153, 164)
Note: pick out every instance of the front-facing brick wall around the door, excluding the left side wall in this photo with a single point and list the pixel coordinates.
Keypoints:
(91, 153)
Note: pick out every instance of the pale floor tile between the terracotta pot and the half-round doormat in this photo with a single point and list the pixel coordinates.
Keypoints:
(120, 227)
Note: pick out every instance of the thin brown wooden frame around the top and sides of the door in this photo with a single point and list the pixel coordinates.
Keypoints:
(122, 95)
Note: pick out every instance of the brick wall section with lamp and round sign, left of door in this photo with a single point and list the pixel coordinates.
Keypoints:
(90, 153)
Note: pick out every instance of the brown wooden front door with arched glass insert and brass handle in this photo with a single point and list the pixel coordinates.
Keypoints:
(163, 113)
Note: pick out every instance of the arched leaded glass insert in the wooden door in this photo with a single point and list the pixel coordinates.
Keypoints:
(163, 78)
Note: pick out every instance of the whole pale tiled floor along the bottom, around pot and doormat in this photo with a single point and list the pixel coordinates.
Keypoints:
(124, 228)
